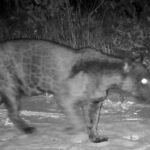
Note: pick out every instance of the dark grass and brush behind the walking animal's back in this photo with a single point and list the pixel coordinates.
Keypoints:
(106, 24)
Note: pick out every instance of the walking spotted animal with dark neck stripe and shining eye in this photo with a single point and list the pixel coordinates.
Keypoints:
(77, 78)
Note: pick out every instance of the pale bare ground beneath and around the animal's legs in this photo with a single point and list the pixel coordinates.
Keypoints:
(127, 124)
